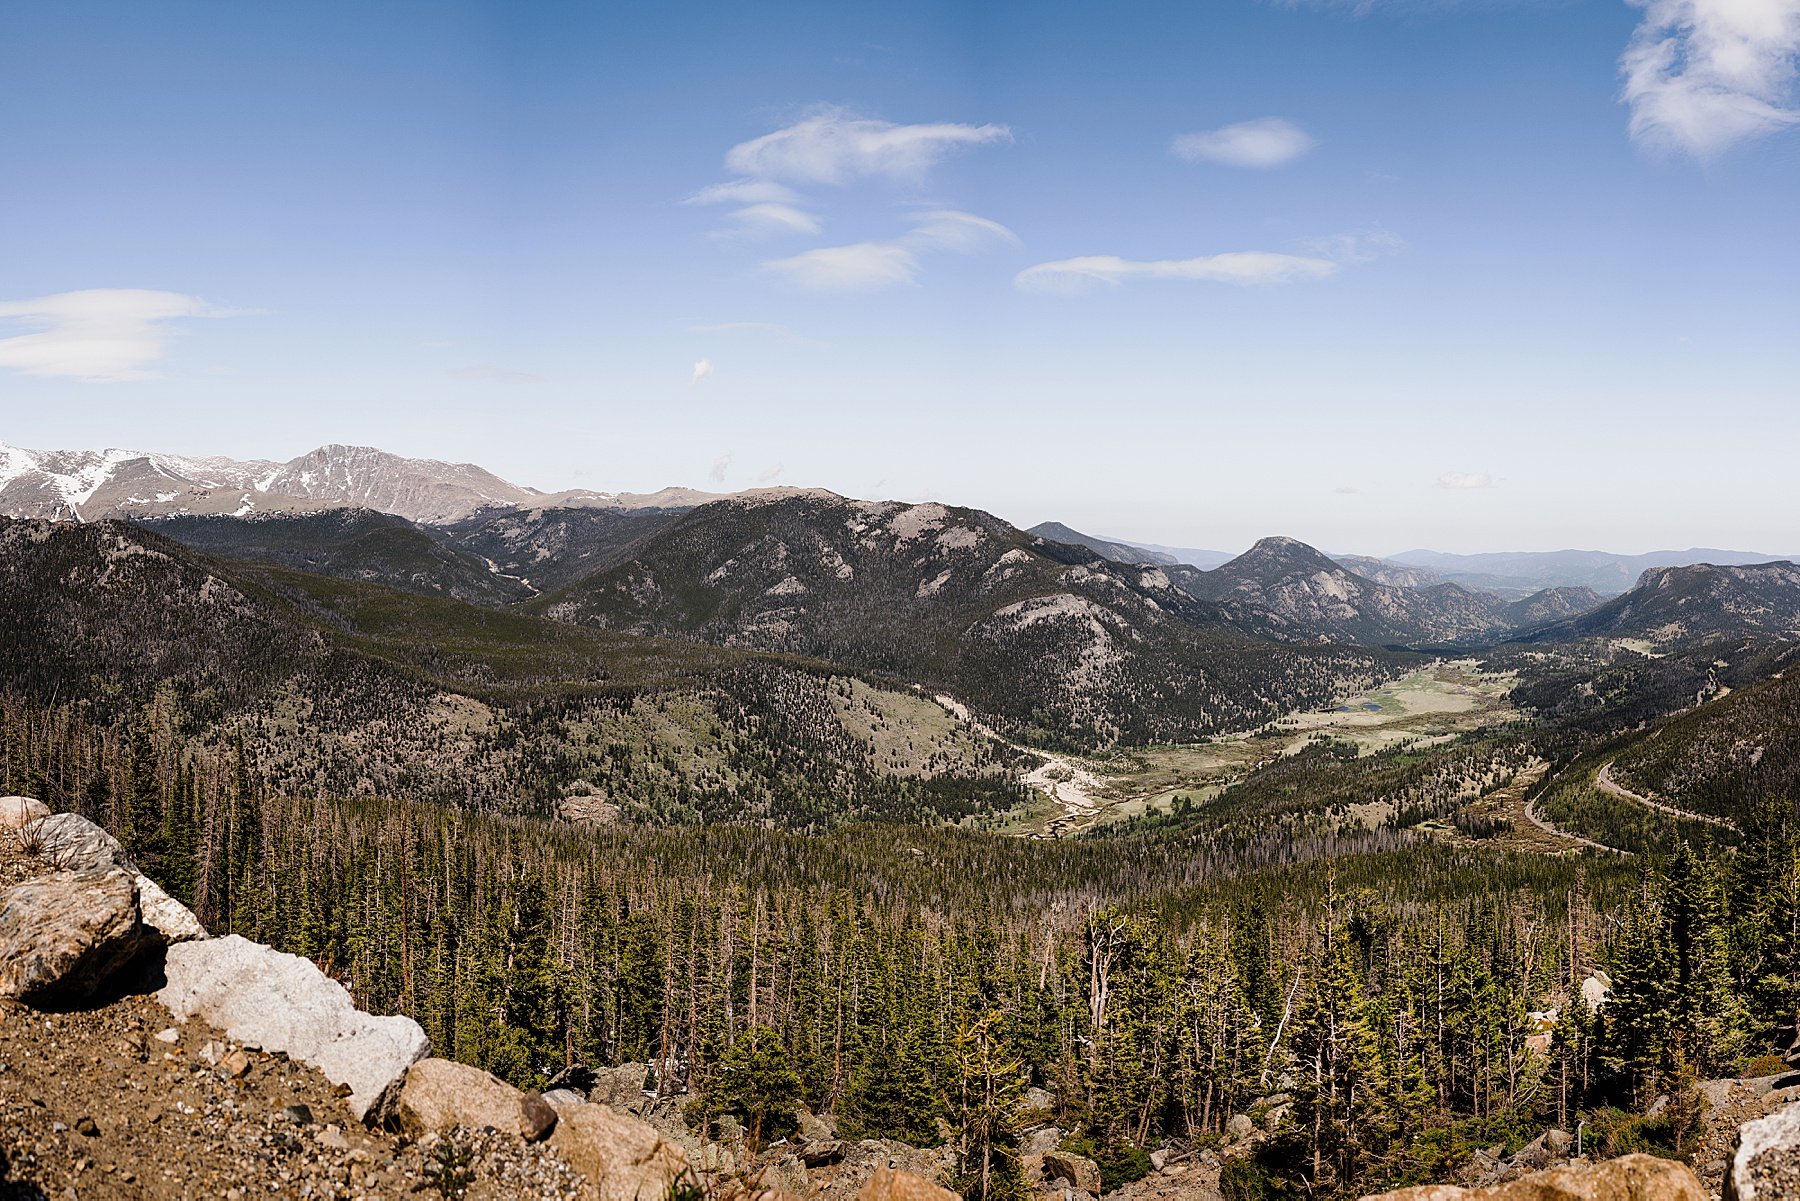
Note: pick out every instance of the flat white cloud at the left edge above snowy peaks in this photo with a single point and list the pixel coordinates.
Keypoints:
(100, 334)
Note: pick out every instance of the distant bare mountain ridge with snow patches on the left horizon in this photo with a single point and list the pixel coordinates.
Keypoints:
(89, 485)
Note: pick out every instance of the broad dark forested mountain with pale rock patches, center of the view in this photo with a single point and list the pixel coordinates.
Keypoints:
(1048, 640)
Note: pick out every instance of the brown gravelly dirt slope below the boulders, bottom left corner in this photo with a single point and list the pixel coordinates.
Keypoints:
(98, 1105)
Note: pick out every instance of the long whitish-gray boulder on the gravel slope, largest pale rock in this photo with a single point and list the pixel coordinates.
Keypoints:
(280, 1002)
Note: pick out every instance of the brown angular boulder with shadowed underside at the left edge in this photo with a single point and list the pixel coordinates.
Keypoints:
(64, 935)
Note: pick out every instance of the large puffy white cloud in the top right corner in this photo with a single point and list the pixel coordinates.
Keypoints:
(1707, 75)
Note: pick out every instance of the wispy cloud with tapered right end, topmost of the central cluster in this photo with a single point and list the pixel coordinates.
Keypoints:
(834, 147)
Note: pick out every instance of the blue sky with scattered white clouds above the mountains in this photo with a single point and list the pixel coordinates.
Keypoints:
(1399, 273)
